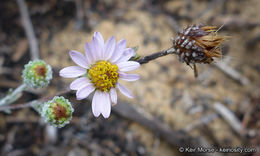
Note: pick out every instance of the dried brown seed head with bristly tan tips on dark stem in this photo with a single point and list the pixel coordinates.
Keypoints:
(198, 44)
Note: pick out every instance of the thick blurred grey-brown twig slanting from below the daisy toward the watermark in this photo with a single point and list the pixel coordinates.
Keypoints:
(179, 139)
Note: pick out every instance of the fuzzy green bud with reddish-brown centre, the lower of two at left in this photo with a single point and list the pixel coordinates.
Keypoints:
(57, 112)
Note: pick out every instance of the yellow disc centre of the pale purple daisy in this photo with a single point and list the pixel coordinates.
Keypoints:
(103, 75)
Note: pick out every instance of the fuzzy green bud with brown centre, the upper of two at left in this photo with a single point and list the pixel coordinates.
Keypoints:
(37, 74)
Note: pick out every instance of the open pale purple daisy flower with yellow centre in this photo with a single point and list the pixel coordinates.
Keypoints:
(99, 71)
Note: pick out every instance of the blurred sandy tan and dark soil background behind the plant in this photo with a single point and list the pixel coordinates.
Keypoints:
(167, 89)
